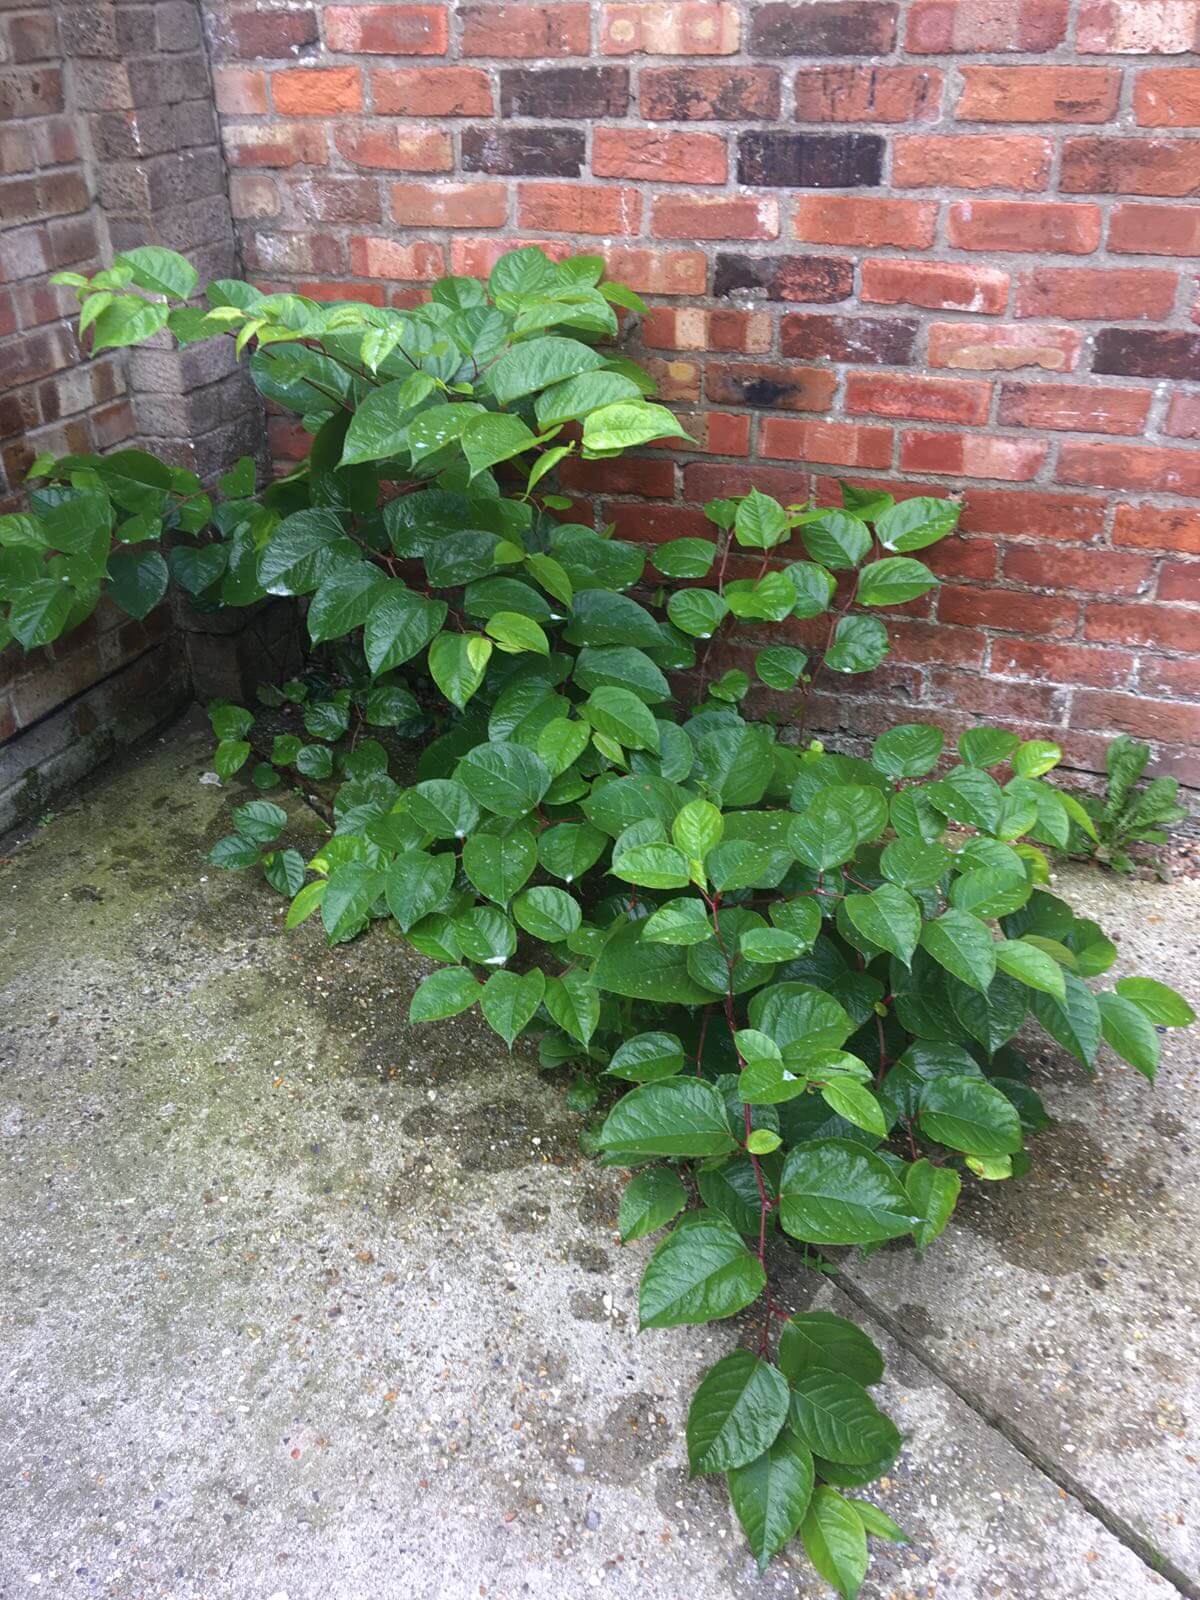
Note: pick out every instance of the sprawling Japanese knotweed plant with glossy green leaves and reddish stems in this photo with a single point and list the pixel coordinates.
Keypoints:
(790, 983)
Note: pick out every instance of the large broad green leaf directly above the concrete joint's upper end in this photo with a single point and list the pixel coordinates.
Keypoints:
(834, 1193)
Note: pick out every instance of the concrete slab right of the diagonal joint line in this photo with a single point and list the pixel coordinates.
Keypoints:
(1068, 1305)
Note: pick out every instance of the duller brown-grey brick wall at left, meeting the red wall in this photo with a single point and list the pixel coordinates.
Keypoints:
(108, 140)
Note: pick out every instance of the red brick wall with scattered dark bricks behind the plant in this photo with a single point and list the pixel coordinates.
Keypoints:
(945, 246)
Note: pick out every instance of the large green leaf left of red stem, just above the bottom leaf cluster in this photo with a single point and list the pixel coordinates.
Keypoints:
(700, 1273)
